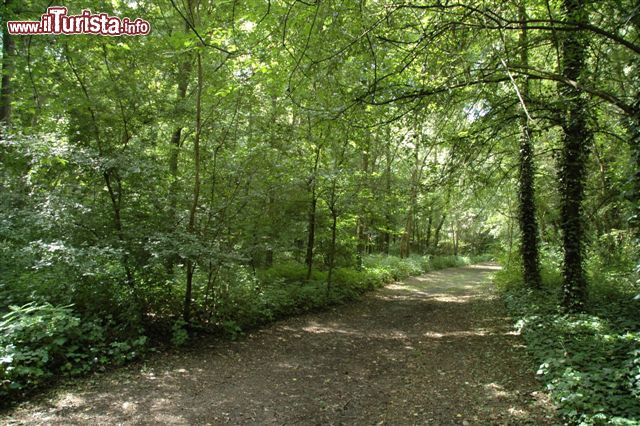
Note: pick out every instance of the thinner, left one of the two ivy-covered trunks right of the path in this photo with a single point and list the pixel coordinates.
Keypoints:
(527, 210)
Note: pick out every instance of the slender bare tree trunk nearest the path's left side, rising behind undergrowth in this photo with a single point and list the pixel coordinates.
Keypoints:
(191, 228)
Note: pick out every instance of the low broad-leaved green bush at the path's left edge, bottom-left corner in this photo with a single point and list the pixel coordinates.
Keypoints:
(40, 341)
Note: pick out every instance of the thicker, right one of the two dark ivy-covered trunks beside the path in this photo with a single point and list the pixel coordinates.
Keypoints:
(576, 145)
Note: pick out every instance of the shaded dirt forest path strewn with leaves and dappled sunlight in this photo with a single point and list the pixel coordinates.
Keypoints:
(436, 349)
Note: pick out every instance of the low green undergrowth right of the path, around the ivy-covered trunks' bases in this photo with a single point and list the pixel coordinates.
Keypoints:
(589, 362)
